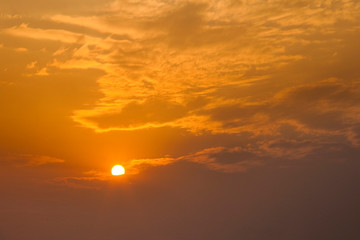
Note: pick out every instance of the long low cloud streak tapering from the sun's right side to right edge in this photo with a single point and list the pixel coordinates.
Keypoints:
(257, 153)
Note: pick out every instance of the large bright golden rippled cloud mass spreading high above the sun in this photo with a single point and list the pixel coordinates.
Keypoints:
(224, 45)
